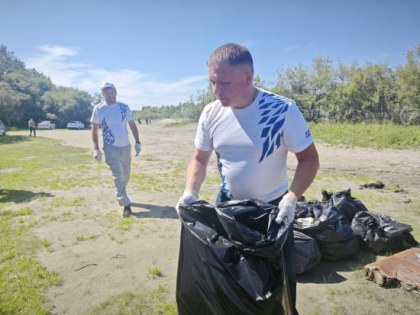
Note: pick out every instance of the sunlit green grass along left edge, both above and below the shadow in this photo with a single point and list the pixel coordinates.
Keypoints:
(31, 168)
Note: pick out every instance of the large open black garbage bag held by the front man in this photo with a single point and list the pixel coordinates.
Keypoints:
(230, 259)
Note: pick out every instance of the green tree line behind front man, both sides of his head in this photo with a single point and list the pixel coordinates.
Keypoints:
(333, 92)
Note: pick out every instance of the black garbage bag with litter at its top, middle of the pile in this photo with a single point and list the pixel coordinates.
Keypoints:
(335, 237)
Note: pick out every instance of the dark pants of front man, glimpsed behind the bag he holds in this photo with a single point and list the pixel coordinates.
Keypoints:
(288, 251)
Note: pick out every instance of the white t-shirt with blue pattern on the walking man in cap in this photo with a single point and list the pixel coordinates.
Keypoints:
(113, 120)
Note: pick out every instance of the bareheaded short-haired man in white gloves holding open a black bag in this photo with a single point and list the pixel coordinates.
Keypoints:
(251, 131)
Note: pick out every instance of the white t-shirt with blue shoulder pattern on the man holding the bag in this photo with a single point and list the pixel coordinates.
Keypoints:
(251, 144)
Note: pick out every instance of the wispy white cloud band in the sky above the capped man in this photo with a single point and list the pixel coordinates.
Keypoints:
(134, 88)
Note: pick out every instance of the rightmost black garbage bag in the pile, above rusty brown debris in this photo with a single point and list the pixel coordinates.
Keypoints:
(380, 233)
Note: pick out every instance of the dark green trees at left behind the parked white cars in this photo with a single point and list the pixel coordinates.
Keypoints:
(27, 93)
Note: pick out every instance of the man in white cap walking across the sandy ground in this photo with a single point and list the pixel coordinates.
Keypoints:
(113, 117)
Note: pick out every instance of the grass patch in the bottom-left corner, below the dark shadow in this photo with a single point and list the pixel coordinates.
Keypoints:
(22, 277)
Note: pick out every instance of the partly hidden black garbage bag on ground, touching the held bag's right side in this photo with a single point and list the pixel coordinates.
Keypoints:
(306, 254)
